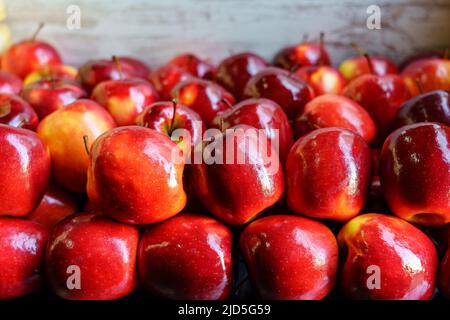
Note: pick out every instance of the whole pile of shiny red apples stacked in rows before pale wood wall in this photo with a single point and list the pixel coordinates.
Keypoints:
(92, 204)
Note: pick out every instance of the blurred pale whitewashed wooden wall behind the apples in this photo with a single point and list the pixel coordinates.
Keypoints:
(155, 30)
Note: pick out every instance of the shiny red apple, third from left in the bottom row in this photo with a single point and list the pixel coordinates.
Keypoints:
(187, 257)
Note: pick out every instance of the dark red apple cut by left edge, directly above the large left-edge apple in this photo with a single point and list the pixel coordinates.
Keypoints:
(16, 112)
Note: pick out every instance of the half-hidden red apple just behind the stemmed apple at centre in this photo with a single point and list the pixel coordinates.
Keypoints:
(203, 96)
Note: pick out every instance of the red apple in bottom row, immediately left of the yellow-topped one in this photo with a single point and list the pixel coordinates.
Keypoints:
(290, 258)
